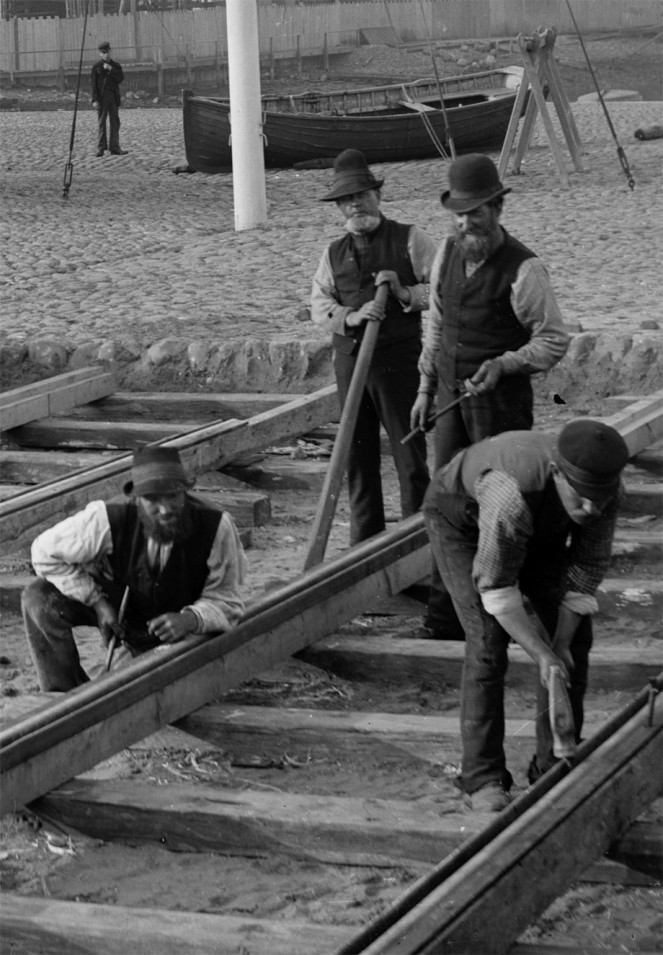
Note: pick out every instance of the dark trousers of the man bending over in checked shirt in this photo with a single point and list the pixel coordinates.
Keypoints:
(451, 525)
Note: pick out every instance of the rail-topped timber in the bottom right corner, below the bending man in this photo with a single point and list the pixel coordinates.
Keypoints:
(535, 856)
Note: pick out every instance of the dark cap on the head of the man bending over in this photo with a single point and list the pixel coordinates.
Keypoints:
(591, 455)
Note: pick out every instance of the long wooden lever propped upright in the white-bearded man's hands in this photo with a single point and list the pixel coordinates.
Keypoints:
(341, 450)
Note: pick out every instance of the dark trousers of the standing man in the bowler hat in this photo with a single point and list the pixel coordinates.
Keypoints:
(508, 408)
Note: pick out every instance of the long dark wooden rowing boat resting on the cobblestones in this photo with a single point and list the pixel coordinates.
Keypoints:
(392, 123)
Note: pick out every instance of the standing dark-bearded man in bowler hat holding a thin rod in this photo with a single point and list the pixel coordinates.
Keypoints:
(494, 322)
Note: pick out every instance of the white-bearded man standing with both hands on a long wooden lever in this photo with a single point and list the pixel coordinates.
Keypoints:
(375, 250)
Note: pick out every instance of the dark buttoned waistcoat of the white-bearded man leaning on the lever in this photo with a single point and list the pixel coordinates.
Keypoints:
(354, 279)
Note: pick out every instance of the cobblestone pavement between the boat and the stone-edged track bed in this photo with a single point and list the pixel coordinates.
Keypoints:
(137, 254)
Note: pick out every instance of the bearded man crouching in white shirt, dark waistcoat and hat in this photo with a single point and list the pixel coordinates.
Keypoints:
(170, 559)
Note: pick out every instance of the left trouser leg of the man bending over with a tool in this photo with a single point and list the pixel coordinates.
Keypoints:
(451, 525)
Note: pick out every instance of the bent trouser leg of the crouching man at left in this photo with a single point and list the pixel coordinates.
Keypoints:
(49, 617)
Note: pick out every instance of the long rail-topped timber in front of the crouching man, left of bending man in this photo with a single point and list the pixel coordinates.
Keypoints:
(97, 720)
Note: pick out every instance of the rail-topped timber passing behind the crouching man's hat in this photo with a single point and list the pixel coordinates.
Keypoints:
(208, 448)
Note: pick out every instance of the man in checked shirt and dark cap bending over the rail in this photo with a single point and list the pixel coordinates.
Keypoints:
(523, 516)
